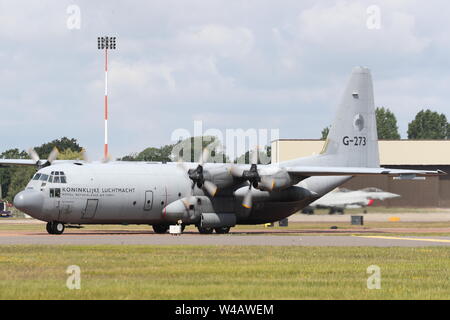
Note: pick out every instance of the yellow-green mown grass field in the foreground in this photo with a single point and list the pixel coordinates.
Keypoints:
(152, 272)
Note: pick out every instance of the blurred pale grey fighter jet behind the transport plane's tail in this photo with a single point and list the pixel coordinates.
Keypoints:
(342, 198)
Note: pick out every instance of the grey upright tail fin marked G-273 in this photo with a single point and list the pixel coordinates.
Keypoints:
(352, 140)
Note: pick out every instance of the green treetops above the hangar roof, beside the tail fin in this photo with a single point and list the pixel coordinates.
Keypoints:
(427, 125)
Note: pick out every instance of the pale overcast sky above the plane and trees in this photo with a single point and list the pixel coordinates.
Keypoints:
(232, 64)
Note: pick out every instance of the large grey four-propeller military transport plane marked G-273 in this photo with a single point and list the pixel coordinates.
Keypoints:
(209, 196)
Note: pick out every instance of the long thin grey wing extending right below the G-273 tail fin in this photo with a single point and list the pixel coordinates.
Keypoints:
(360, 171)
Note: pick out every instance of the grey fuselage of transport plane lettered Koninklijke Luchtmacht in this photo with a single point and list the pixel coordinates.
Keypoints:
(138, 193)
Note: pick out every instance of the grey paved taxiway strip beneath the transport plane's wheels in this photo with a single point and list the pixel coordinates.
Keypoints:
(232, 239)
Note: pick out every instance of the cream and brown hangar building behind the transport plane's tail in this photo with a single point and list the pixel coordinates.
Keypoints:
(407, 154)
